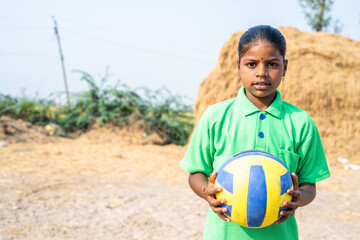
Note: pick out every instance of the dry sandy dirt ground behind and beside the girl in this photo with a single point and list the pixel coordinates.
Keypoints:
(107, 186)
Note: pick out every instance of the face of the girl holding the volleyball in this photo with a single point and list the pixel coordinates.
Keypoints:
(261, 69)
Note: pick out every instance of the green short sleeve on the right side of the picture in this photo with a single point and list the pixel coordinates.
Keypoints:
(312, 165)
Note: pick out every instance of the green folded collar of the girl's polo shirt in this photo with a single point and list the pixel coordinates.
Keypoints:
(248, 108)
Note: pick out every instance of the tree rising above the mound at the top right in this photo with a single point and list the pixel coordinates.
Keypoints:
(317, 13)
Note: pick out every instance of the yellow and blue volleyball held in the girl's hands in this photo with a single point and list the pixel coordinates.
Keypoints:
(254, 186)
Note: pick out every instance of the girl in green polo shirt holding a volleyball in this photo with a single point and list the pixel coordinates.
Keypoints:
(256, 120)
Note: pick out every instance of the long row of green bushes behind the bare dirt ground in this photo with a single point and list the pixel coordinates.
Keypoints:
(162, 112)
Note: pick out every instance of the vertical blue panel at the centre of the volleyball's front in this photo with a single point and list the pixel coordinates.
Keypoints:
(257, 197)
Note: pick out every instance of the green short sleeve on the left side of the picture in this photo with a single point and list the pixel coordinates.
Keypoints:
(199, 154)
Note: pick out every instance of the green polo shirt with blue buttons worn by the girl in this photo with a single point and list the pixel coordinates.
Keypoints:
(235, 125)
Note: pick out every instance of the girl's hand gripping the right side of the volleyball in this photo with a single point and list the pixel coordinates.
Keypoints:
(294, 204)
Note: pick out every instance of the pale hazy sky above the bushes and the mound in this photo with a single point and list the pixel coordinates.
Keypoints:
(153, 44)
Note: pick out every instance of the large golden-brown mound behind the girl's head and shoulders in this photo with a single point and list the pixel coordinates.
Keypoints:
(322, 79)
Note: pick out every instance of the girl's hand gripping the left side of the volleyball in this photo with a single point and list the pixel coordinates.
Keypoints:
(209, 195)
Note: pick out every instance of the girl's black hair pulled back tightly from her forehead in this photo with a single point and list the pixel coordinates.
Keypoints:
(264, 33)
